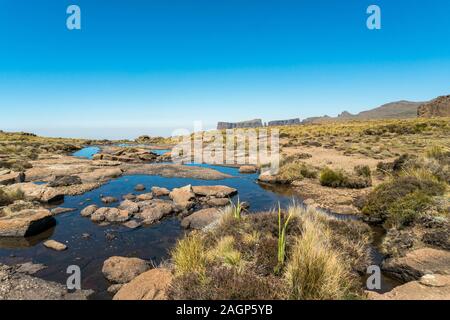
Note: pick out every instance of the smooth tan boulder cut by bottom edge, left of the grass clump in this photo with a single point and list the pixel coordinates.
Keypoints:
(150, 285)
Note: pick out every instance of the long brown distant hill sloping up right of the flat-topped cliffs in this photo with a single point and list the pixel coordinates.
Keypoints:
(394, 110)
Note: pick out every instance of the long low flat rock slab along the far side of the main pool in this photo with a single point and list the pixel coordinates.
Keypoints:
(175, 171)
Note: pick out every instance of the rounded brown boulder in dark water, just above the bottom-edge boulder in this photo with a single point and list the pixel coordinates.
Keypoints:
(122, 270)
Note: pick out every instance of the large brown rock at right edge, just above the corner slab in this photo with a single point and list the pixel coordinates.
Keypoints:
(417, 263)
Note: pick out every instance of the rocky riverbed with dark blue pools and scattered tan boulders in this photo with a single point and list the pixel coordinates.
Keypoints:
(92, 208)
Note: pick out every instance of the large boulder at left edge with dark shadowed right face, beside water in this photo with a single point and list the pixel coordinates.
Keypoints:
(26, 223)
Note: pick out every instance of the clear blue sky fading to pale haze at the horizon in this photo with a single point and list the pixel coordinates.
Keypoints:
(150, 67)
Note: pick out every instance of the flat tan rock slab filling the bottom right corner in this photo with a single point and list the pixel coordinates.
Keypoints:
(430, 287)
